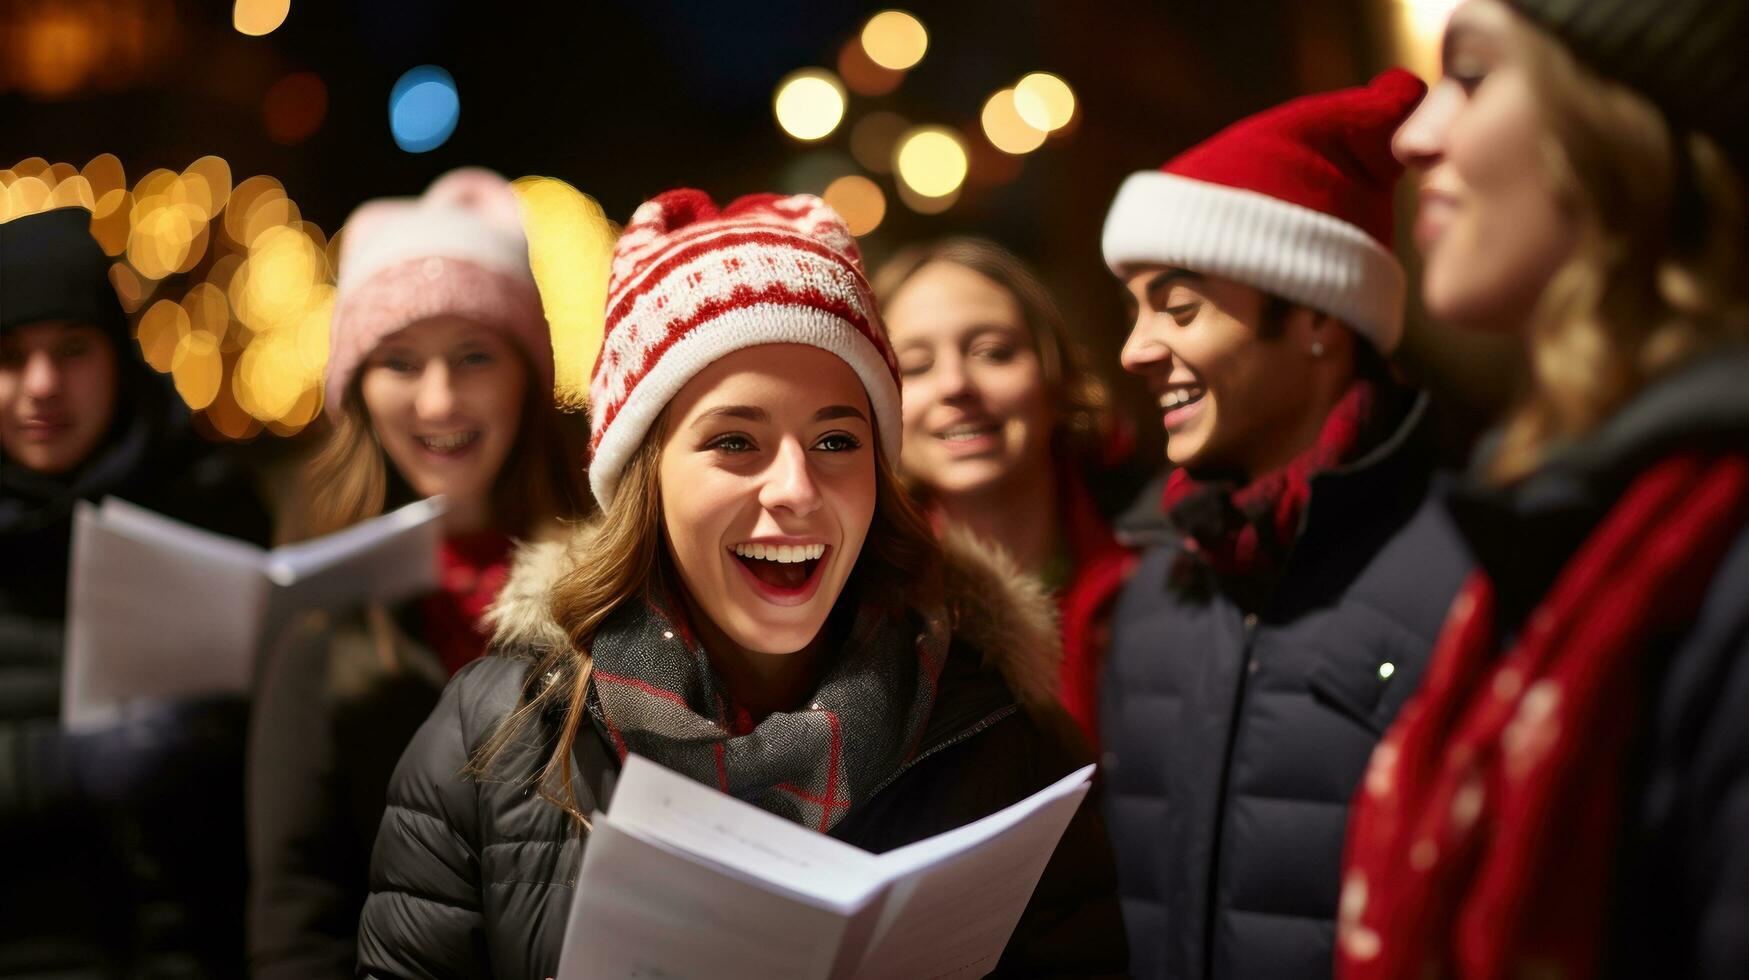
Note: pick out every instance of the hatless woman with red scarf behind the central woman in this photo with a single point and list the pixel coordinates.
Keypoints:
(1005, 431)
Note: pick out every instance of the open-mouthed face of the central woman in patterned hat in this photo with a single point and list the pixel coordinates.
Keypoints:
(767, 484)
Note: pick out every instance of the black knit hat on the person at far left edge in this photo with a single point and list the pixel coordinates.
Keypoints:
(53, 270)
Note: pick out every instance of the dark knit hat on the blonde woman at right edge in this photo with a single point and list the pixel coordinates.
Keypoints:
(1689, 57)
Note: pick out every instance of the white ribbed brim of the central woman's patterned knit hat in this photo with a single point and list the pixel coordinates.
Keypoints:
(739, 330)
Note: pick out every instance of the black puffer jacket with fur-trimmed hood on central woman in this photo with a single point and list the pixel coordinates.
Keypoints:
(477, 878)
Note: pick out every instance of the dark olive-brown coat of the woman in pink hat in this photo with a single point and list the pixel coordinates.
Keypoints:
(337, 704)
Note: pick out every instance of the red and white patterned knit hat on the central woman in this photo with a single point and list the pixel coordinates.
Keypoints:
(692, 284)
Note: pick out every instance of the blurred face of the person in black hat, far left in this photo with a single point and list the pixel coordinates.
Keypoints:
(57, 395)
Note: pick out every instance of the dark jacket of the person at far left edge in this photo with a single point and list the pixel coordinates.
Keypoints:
(127, 844)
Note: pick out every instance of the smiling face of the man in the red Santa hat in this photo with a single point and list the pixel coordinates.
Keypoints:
(1234, 393)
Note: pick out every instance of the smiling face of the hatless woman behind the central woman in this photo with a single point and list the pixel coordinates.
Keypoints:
(977, 407)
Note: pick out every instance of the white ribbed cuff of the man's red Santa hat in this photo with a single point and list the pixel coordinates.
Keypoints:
(1279, 248)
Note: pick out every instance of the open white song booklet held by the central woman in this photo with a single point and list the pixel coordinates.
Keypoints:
(683, 883)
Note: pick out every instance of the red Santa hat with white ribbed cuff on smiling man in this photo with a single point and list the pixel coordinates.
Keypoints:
(1295, 202)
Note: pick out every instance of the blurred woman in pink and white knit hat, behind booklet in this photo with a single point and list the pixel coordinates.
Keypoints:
(442, 372)
